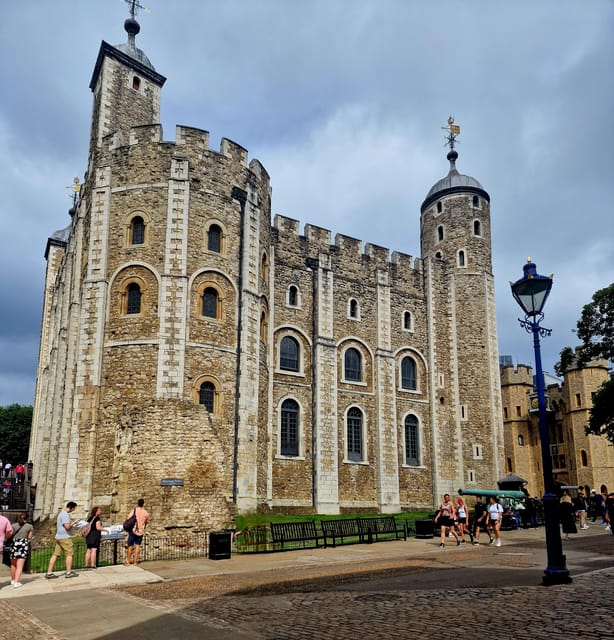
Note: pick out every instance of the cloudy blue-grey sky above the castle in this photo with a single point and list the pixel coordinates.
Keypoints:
(343, 102)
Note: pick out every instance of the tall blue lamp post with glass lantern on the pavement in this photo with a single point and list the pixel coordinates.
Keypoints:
(531, 292)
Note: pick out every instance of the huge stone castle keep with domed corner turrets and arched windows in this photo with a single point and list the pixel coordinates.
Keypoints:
(212, 360)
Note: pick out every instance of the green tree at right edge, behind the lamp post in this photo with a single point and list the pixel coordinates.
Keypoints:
(595, 328)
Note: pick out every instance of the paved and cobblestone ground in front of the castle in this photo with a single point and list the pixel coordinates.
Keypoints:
(387, 598)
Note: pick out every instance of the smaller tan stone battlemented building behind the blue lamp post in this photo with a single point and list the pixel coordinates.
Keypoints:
(578, 459)
